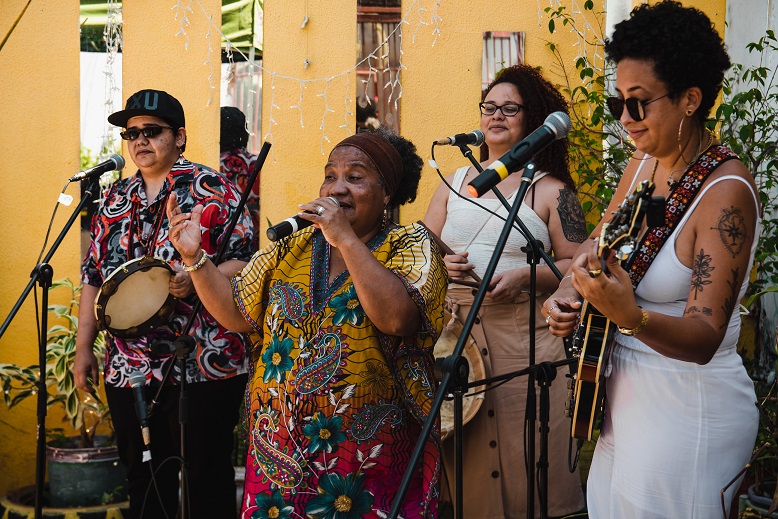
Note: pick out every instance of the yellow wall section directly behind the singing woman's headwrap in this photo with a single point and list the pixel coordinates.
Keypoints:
(295, 166)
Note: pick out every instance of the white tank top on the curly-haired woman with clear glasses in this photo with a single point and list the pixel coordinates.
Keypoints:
(472, 229)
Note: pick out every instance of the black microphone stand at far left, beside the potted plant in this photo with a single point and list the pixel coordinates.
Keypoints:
(43, 274)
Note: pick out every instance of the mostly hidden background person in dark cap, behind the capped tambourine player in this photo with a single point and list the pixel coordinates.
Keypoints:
(237, 162)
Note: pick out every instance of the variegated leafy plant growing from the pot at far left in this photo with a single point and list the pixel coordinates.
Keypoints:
(83, 412)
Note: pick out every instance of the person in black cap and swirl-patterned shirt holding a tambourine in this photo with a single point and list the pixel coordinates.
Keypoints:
(131, 223)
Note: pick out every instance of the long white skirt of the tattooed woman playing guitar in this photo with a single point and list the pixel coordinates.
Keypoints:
(675, 434)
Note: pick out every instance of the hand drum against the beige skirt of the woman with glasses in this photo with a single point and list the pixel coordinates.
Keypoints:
(443, 348)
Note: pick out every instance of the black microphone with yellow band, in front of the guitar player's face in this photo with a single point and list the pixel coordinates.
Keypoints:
(556, 126)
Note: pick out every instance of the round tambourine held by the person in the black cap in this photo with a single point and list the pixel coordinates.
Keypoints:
(135, 299)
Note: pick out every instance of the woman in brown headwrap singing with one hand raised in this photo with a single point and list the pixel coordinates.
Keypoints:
(344, 316)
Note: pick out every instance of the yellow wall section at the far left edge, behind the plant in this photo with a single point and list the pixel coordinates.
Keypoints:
(39, 78)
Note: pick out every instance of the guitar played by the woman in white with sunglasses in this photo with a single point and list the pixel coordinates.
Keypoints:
(593, 337)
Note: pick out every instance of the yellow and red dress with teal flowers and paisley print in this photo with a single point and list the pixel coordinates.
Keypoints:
(335, 405)
